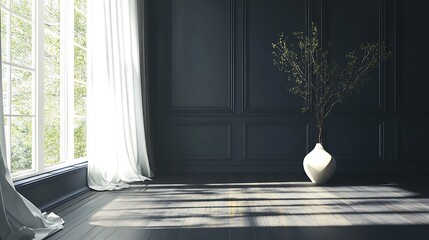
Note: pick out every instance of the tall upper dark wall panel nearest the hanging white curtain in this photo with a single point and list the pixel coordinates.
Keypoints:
(200, 61)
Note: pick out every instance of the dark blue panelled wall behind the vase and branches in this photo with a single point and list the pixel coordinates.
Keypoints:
(220, 105)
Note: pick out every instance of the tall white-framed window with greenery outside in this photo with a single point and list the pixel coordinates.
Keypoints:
(44, 83)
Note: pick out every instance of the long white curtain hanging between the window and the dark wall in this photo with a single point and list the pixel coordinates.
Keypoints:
(116, 147)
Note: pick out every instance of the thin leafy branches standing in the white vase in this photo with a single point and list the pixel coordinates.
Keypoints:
(313, 76)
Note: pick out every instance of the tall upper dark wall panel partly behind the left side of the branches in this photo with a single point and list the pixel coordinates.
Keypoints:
(264, 85)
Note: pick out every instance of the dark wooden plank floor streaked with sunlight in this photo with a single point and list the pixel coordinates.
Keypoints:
(249, 207)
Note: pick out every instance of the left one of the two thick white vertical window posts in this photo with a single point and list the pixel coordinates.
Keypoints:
(40, 90)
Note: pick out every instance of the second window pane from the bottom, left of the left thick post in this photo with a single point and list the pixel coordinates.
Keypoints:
(21, 92)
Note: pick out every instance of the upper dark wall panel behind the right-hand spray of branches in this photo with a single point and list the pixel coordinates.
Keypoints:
(348, 24)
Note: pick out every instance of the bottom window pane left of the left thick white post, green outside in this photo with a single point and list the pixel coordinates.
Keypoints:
(21, 143)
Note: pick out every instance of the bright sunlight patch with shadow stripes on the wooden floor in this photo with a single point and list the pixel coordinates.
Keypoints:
(288, 204)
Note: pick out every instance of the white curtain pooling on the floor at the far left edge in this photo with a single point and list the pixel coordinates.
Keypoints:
(19, 218)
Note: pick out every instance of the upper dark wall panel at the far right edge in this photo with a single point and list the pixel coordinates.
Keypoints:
(411, 56)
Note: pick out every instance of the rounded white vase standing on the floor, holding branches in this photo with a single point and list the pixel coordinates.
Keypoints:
(319, 165)
